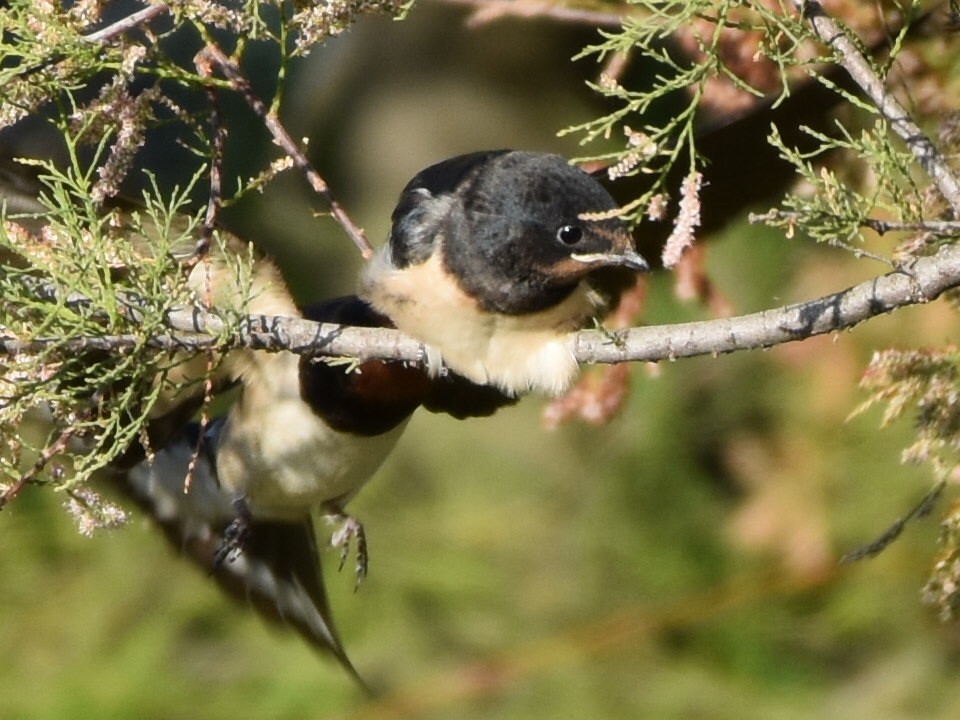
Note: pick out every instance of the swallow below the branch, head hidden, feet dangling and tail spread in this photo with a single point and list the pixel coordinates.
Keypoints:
(298, 443)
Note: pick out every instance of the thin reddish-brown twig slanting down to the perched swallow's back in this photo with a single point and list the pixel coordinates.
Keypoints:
(282, 138)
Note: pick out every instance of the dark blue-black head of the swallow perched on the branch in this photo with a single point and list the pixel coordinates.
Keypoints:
(515, 229)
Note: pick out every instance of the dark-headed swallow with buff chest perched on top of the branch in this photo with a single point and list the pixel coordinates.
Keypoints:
(494, 258)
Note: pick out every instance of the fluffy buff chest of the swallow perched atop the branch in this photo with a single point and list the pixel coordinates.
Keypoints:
(517, 353)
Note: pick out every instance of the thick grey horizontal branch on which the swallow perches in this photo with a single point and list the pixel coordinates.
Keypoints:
(922, 281)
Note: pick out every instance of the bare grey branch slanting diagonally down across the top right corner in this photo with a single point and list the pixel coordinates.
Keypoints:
(859, 68)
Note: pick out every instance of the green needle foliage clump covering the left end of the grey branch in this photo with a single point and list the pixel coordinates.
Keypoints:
(86, 296)
